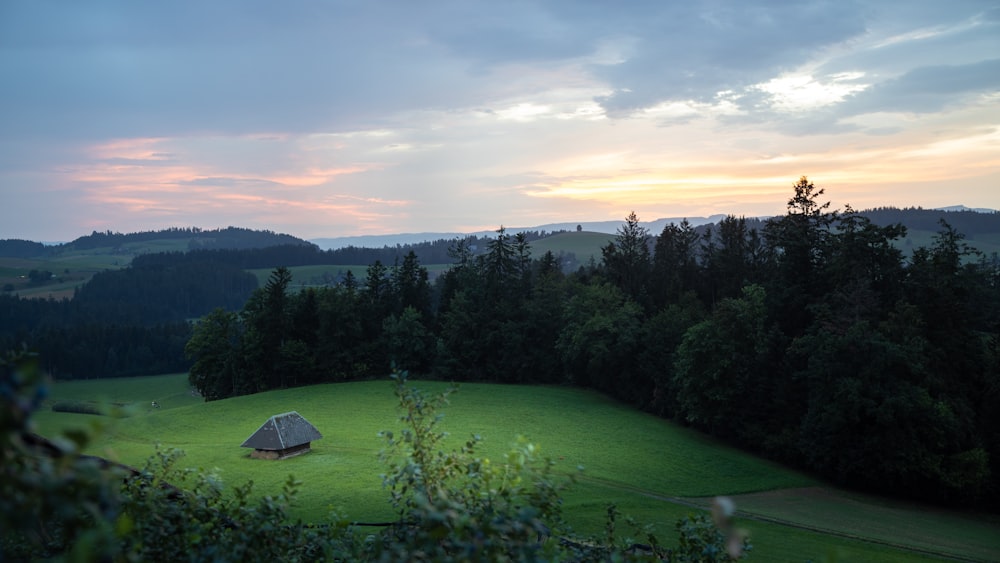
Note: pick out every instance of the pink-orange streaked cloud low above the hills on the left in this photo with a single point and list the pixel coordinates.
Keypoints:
(152, 175)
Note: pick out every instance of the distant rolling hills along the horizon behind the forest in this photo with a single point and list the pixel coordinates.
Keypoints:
(60, 269)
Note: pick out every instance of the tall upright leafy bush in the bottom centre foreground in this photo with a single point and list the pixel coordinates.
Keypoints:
(457, 505)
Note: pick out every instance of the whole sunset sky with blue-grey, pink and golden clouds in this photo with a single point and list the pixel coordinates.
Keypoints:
(330, 118)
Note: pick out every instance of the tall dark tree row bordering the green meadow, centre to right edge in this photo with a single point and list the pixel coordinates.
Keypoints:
(807, 338)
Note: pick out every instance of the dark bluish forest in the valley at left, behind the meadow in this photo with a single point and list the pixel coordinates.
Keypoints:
(133, 321)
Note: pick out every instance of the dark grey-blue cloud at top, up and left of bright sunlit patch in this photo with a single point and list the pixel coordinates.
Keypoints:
(689, 53)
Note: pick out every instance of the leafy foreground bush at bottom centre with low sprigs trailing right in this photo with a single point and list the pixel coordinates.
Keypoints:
(456, 506)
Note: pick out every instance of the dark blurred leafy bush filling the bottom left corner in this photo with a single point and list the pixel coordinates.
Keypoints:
(56, 502)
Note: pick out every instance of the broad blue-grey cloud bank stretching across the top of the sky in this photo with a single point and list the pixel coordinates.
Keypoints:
(126, 69)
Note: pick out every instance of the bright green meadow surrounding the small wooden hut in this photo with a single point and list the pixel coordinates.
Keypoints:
(650, 468)
